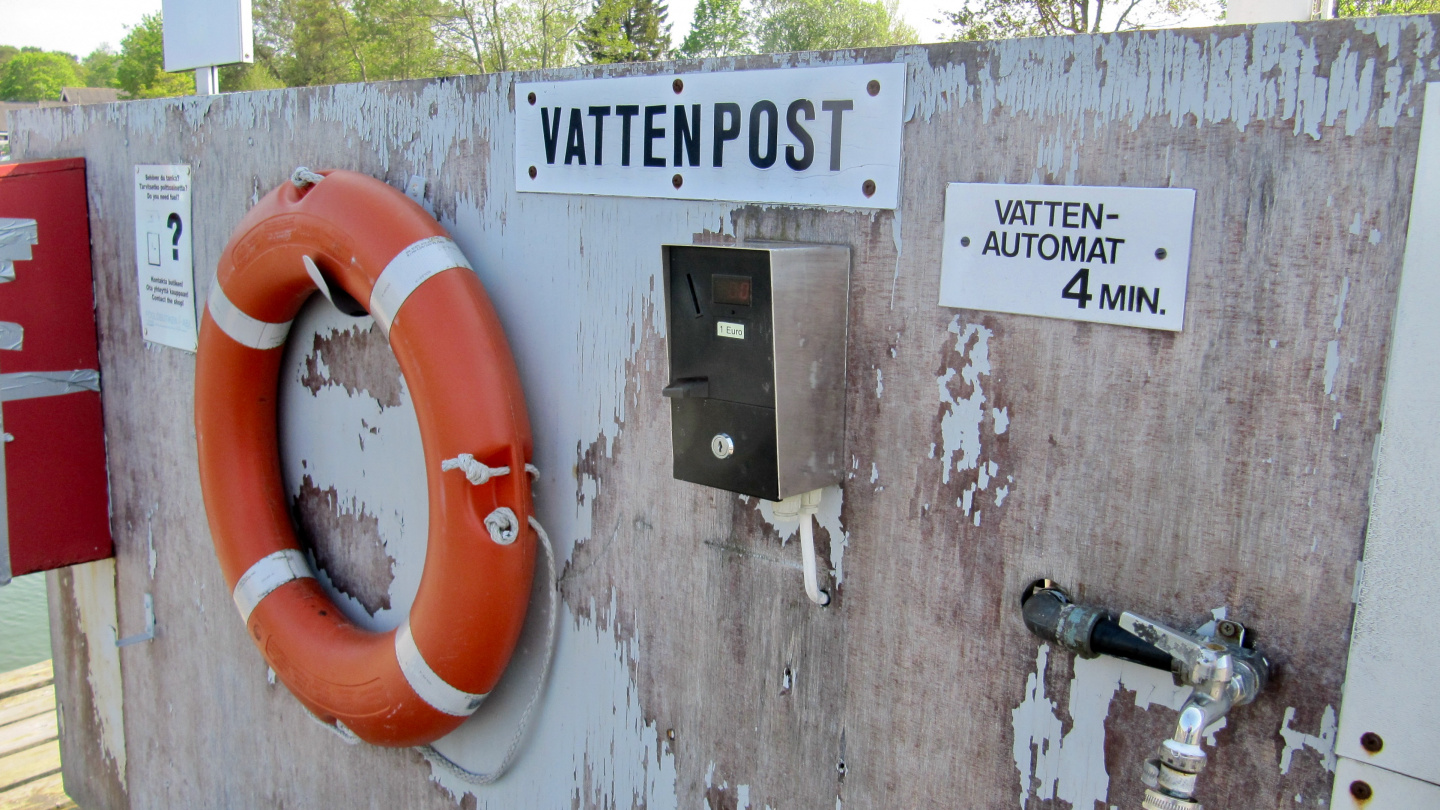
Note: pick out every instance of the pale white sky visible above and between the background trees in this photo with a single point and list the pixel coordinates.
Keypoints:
(80, 27)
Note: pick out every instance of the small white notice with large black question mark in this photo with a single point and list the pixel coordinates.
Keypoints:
(165, 262)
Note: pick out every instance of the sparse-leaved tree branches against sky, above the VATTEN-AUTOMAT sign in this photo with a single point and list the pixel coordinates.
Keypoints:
(1004, 19)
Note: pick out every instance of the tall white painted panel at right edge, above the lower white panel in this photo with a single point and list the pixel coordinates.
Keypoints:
(1395, 654)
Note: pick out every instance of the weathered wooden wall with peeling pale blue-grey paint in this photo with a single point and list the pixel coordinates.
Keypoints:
(1220, 469)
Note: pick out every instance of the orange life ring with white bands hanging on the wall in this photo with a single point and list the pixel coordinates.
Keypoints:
(417, 684)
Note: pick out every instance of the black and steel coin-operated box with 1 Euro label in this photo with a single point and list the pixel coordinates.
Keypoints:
(757, 338)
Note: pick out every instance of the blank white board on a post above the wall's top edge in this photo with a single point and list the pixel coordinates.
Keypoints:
(199, 34)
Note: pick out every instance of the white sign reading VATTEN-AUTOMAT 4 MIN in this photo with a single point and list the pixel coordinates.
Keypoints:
(1081, 253)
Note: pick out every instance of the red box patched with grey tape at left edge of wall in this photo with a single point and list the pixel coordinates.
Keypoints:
(55, 485)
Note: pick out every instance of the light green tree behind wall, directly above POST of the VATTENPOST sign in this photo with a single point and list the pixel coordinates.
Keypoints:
(826, 25)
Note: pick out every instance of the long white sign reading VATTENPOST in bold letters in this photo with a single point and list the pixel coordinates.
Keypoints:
(803, 136)
